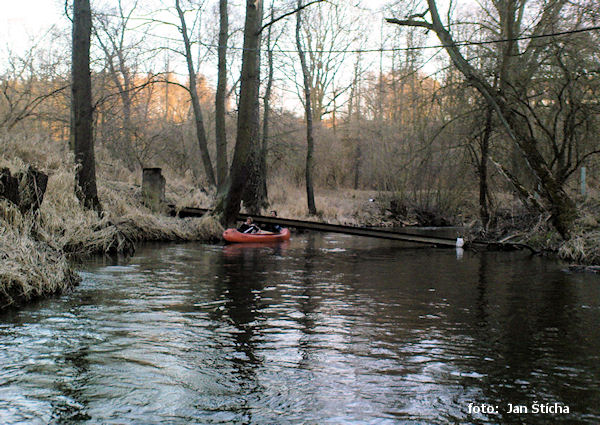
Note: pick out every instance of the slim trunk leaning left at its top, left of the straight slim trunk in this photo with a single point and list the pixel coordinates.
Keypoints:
(199, 121)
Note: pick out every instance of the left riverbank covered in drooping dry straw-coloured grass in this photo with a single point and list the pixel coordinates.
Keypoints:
(38, 250)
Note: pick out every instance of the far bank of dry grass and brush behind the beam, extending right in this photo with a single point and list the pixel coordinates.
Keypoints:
(510, 221)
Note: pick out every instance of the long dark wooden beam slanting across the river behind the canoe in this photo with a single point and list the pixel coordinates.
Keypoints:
(333, 228)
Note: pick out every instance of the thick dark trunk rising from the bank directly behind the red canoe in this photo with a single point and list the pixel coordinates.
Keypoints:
(248, 117)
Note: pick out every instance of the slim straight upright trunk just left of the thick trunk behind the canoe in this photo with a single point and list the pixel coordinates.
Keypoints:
(221, 135)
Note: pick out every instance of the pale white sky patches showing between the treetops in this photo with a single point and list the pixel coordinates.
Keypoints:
(27, 23)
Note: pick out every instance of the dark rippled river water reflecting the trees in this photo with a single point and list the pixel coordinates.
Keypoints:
(325, 330)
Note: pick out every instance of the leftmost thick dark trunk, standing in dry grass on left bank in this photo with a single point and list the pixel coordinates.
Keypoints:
(81, 107)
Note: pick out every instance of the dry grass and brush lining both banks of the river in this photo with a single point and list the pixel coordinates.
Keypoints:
(39, 250)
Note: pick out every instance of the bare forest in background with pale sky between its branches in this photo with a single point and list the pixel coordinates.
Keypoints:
(397, 118)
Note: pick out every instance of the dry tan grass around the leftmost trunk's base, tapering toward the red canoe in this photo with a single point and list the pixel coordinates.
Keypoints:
(125, 222)
